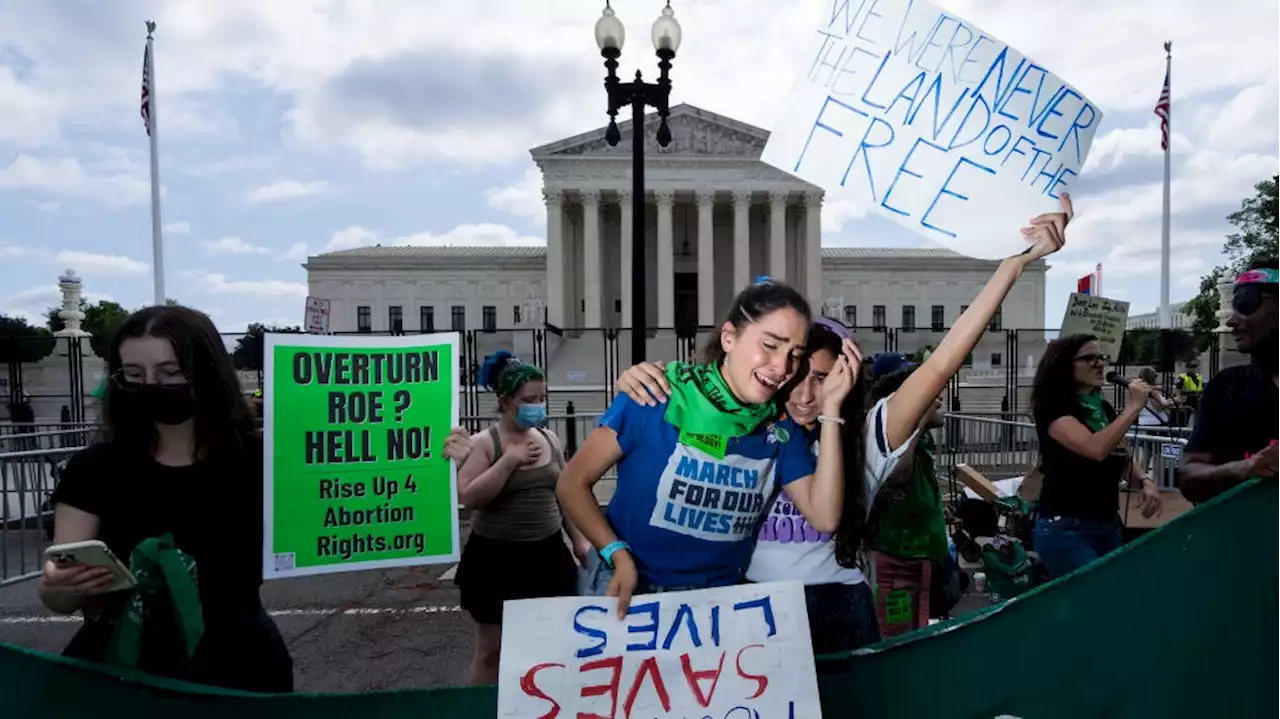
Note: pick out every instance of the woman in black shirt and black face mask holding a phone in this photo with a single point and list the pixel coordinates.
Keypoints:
(181, 457)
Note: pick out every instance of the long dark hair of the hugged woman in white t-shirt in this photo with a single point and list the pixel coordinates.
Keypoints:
(853, 411)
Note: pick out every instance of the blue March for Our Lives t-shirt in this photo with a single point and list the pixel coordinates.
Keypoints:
(691, 518)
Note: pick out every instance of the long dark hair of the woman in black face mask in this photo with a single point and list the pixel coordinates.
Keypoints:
(223, 418)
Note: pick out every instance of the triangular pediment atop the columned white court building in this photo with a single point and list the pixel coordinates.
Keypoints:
(694, 134)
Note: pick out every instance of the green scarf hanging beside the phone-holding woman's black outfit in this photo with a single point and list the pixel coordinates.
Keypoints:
(166, 592)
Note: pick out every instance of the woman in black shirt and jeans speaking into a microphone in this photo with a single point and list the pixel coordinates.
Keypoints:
(1084, 456)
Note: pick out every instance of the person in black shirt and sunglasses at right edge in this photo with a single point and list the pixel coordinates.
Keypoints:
(1237, 433)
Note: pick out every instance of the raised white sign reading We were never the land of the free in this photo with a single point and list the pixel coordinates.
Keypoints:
(934, 123)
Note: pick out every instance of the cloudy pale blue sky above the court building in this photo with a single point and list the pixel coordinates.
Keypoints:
(301, 126)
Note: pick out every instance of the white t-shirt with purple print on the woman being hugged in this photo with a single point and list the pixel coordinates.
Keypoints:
(789, 549)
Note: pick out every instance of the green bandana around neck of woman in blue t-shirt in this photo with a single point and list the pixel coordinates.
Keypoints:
(701, 404)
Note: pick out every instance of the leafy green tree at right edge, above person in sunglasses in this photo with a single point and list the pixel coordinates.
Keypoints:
(1256, 237)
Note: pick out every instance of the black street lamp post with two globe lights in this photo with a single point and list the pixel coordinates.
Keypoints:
(638, 94)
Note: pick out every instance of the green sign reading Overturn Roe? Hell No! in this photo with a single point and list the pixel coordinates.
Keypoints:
(355, 473)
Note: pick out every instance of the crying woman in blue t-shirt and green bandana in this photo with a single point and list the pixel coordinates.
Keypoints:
(697, 475)
